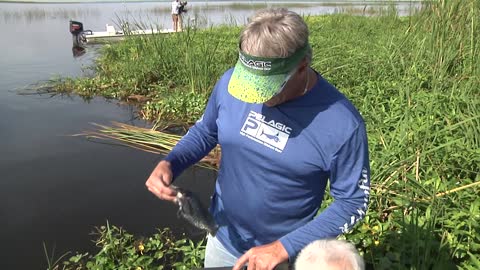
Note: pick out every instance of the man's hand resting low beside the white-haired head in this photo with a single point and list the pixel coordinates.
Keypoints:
(264, 257)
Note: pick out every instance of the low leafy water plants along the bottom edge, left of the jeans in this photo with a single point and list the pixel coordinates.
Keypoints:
(118, 249)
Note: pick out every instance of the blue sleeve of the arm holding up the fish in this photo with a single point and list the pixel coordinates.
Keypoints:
(199, 140)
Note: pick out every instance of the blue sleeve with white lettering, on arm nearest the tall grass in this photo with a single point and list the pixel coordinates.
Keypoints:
(350, 188)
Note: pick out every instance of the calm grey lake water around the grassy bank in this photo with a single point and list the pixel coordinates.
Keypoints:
(54, 187)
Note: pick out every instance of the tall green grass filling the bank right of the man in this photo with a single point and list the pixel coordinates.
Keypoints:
(419, 95)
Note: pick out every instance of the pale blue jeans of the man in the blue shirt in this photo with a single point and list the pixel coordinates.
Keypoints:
(216, 255)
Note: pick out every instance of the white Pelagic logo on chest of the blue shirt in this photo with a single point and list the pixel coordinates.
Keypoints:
(267, 132)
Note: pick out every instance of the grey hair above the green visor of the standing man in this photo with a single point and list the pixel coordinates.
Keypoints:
(274, 33)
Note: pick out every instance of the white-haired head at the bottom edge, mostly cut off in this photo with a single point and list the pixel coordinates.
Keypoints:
(329, 252)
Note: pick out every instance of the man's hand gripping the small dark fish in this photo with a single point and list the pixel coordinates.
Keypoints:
(159, 181)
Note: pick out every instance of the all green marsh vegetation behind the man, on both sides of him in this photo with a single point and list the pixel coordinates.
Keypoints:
(414, 79)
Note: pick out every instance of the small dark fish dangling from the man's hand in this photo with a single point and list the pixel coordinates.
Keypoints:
(191, 209)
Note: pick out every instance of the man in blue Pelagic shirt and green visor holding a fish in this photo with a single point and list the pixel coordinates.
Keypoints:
(284, 133)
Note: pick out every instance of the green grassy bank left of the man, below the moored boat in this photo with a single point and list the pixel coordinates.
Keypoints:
(160, 67)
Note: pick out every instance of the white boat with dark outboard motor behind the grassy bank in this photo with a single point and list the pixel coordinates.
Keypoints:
(82, 37)
